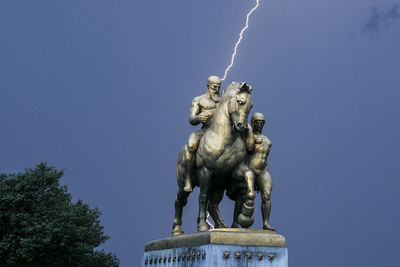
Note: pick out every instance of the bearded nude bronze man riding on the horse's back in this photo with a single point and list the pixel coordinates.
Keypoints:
(202, 111)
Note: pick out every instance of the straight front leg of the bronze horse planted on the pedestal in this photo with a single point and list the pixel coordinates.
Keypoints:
(204, 176)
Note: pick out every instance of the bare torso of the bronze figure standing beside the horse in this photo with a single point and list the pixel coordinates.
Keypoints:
(257, 159)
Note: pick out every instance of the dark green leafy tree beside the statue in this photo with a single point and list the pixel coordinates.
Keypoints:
(41, 226)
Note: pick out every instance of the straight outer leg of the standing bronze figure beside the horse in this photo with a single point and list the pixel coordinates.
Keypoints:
(264, 182)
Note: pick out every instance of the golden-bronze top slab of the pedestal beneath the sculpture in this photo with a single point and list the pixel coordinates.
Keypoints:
(226, 236)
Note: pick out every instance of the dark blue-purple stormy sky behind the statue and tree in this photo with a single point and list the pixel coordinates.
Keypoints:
(103, 89)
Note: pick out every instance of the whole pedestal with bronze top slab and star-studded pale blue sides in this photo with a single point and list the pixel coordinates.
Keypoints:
(218, 247)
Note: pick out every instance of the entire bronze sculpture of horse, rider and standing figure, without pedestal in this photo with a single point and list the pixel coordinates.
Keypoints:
(225, 154)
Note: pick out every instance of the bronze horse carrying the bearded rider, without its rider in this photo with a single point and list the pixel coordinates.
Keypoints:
(220, 158)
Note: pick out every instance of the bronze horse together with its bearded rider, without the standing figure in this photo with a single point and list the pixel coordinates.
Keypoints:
(219, 155)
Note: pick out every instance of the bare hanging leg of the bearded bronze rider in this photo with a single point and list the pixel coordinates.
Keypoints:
(190, 153)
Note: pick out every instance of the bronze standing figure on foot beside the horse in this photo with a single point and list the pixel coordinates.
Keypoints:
(257, 163)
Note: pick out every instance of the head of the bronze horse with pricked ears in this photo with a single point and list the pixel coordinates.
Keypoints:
(239, 104)
